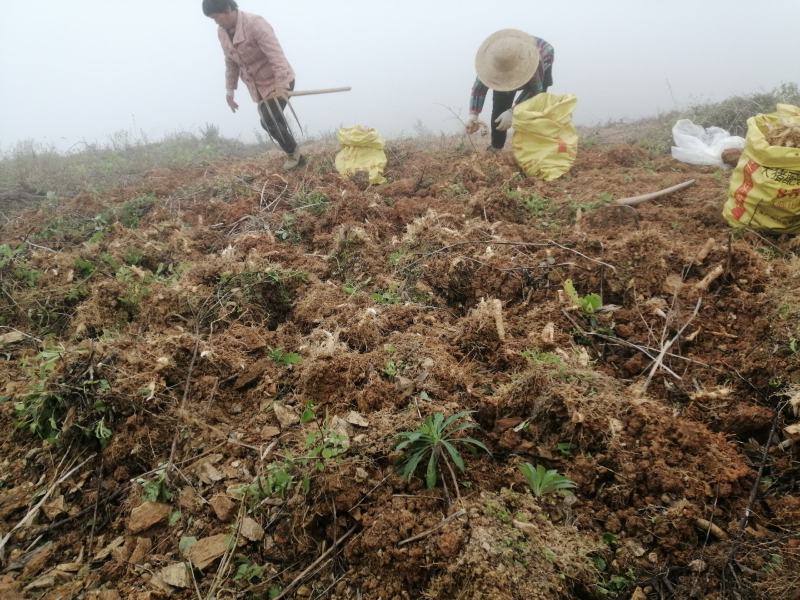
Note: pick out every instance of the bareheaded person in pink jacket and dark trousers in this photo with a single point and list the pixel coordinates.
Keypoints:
(252, 52)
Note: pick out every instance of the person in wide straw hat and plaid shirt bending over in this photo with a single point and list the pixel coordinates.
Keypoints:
(508, 62)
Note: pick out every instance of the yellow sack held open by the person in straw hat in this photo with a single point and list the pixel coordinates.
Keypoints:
(545, 141)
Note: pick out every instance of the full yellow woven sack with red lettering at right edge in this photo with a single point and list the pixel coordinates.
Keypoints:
(765, 186)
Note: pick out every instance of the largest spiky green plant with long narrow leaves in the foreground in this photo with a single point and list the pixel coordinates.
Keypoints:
(437, 441)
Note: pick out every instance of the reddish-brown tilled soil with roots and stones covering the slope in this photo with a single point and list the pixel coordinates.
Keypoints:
(203, 377)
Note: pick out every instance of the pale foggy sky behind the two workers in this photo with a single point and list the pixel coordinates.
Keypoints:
(73, 70)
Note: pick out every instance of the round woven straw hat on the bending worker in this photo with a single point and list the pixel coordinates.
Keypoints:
(507, 60)
